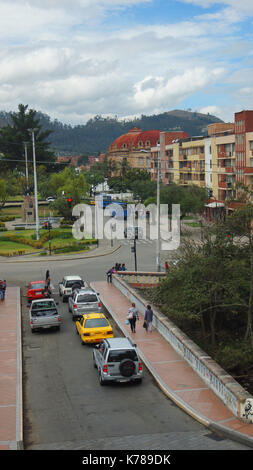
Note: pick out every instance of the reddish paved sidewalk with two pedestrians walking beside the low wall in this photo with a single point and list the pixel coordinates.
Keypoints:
(174, 376)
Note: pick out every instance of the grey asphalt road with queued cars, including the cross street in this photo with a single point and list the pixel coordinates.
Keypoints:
(64, 405)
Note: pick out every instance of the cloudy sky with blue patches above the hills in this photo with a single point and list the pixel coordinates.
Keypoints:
(74, 59)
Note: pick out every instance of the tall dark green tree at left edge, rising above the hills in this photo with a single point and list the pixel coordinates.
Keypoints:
(13, 136)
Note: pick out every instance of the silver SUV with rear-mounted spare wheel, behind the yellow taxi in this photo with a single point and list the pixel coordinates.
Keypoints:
(117, 360)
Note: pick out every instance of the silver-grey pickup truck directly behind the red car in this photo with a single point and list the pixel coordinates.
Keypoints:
(43, 313)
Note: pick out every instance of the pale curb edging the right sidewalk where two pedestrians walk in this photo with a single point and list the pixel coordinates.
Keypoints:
(218, 428)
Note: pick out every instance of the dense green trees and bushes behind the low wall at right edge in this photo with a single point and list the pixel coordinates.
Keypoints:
(209, 293)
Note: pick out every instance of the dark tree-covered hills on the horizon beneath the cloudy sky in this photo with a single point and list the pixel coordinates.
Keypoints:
(98, 133)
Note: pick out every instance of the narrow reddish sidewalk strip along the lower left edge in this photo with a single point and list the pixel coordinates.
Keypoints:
(11, 422)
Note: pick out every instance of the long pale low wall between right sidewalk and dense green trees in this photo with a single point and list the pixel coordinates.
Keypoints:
(236, 399)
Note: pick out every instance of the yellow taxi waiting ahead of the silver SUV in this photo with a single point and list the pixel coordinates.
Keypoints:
(93, 327)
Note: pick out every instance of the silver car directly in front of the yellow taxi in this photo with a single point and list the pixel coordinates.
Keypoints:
(84, 301)
